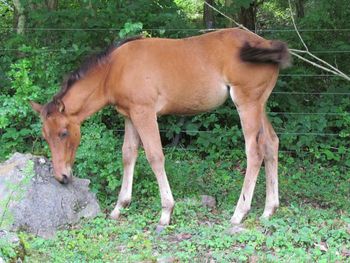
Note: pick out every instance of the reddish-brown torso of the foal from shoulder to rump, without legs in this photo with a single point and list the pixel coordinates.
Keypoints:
(183, 76)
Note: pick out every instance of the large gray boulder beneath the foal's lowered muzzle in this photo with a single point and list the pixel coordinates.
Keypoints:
(32, 200)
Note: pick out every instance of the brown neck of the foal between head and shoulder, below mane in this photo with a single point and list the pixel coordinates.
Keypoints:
(87, 95)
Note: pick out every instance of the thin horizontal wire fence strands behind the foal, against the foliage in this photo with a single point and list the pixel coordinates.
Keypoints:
(337, 114)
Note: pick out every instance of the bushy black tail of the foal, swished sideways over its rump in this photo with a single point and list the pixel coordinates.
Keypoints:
(277, 54)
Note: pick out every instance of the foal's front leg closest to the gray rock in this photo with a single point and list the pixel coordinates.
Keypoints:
(130, 149)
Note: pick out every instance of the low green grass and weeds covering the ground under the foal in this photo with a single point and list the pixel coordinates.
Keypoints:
(312, 224)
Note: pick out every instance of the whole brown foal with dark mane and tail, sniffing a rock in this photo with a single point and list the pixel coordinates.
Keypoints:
(146, 78)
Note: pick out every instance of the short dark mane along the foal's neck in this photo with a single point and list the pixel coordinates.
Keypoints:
(78, 74)
